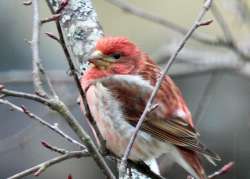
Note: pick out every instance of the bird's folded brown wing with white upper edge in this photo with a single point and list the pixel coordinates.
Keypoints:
(133, 94)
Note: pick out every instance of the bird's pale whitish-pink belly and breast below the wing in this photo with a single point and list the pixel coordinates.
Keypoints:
(116, 131)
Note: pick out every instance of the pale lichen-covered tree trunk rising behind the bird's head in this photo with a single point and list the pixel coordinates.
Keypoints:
(80, 28)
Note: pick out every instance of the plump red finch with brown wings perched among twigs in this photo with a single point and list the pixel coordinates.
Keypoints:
(117, 84)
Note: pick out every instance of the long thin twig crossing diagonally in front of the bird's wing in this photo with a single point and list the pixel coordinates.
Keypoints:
(197, 23)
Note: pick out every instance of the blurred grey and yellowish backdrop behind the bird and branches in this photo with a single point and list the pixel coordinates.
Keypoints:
(224, 122)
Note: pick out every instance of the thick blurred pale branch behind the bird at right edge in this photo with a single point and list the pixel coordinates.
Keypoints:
(192, 61)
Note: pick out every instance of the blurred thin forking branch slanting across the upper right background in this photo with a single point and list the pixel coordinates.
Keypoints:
(228, 43)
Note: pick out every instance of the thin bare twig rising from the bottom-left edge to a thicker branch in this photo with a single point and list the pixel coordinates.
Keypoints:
(36, 170)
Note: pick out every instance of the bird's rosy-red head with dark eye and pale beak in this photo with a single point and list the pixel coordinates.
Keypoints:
(115, 55)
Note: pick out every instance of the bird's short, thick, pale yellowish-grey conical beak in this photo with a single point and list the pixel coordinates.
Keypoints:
(99, 59)
